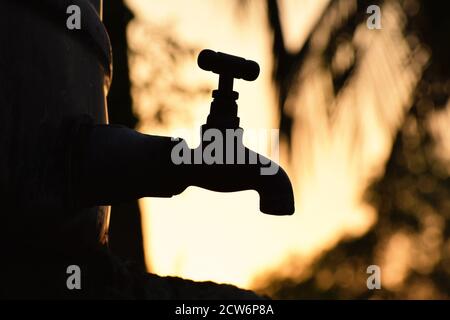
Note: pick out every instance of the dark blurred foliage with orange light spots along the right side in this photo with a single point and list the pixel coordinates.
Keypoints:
(409, 241)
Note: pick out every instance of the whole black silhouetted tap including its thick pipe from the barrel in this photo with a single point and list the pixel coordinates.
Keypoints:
(112, 163)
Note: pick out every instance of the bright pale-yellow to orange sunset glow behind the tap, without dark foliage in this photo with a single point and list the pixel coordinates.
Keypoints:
(203, 235)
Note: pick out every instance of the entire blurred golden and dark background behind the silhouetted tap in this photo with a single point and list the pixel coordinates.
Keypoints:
(363, 117)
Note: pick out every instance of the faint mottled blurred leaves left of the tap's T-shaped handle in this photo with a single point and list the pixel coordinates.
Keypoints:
(160, 89)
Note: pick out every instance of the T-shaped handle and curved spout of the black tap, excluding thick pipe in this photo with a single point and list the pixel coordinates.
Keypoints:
(242, 171)
